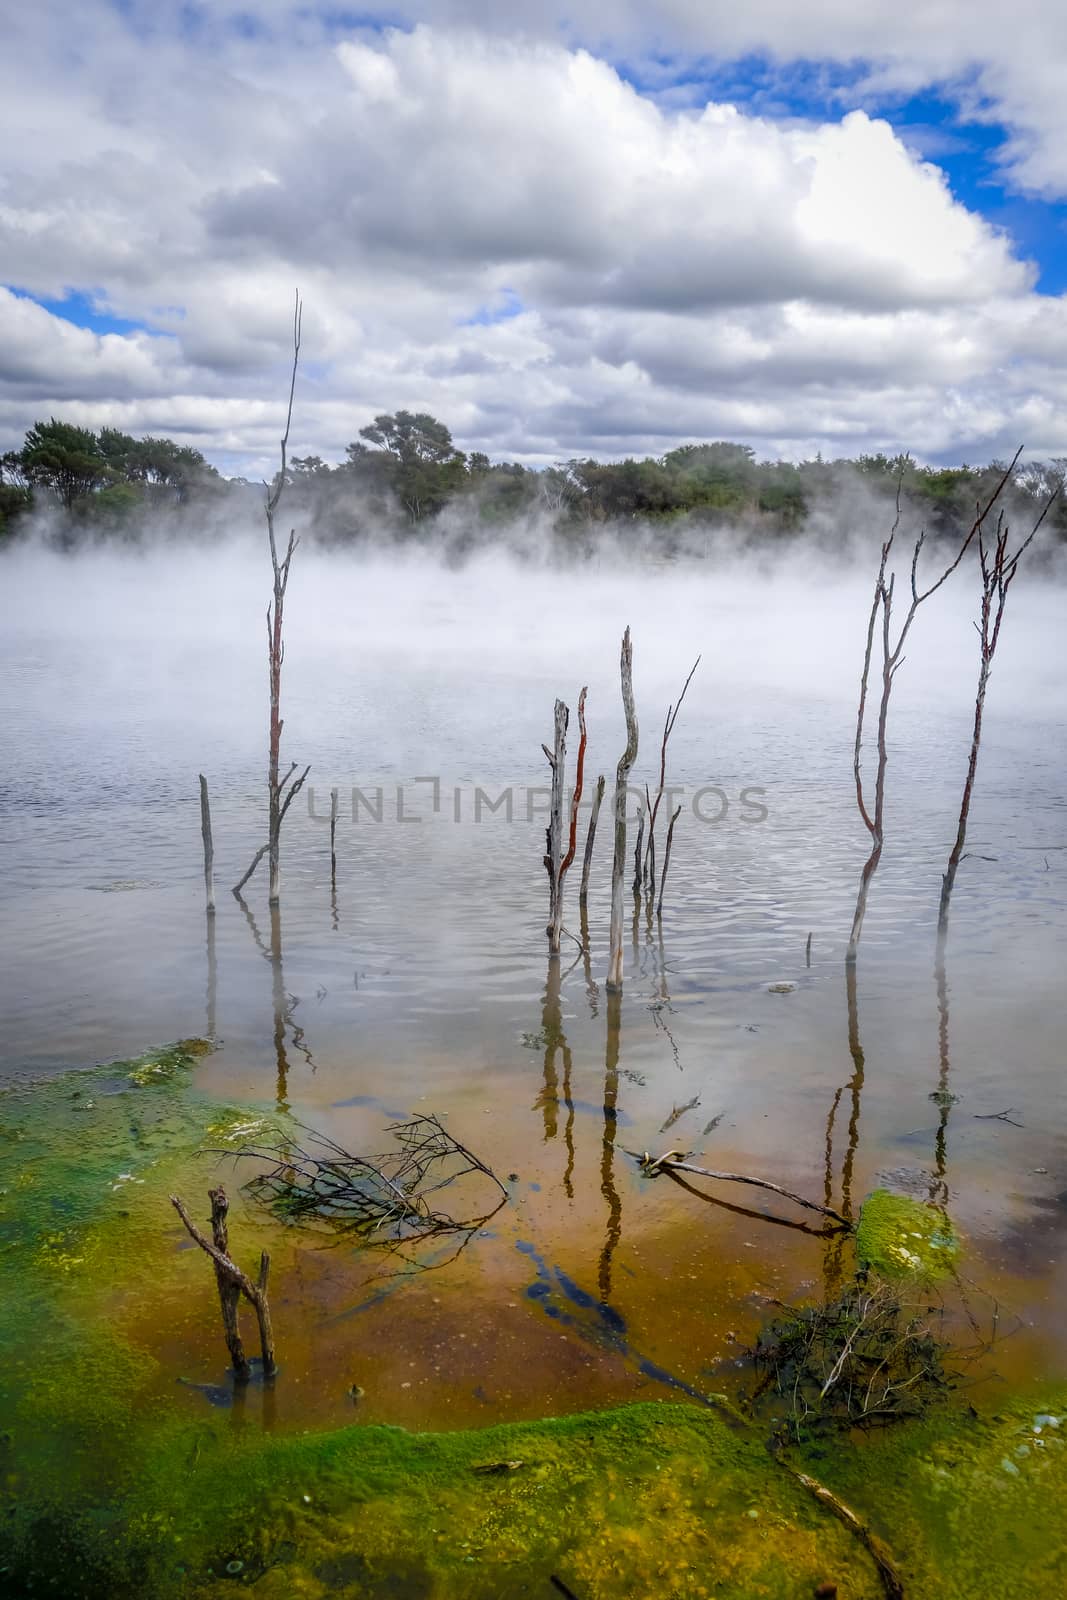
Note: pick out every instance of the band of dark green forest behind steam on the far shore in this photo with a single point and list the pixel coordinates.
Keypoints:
(404, 479)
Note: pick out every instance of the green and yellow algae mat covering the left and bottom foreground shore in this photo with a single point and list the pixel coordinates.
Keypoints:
(111, 1487)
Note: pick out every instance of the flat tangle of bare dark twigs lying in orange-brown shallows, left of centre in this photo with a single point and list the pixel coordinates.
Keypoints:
(390, 1194)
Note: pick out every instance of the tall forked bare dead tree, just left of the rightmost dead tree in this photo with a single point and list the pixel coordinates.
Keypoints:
(881, 626)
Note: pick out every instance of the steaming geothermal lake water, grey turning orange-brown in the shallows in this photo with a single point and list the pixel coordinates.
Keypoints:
(423, 983)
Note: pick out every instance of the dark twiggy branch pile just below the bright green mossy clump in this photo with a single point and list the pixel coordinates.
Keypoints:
(863, 1361)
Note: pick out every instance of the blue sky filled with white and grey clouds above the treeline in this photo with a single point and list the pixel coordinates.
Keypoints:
(564, 230)
